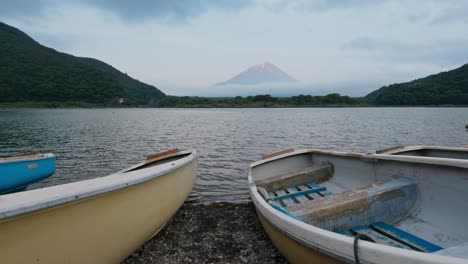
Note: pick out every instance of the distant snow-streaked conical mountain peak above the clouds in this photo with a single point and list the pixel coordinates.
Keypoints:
(261, 73)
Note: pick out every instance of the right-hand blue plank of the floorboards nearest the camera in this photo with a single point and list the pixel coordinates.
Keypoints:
(405, 237)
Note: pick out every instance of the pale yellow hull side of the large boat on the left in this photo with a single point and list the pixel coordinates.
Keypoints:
(100, 229)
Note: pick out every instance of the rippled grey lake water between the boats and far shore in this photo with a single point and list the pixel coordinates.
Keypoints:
(92, 143)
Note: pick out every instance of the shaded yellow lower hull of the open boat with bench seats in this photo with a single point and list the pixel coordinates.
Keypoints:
(292, 250)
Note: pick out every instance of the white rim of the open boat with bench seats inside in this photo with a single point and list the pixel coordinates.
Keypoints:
(307, 234)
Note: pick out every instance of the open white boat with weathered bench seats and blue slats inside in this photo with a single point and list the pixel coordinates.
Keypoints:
(318, 206)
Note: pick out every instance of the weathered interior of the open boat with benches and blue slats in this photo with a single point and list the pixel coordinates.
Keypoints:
(416, 206)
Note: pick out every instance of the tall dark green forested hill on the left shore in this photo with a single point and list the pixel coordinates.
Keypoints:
(32, 72)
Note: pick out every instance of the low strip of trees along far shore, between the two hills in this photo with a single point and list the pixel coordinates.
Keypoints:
(261, 101)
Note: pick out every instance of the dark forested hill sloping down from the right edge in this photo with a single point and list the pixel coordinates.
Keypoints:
(449, 87)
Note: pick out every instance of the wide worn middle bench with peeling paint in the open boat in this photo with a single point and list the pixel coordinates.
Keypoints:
(385, 201)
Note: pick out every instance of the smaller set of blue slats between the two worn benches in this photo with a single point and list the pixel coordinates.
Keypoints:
(298, 194)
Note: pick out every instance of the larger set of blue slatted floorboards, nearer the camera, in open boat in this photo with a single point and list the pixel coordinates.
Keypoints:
(383, 233)
